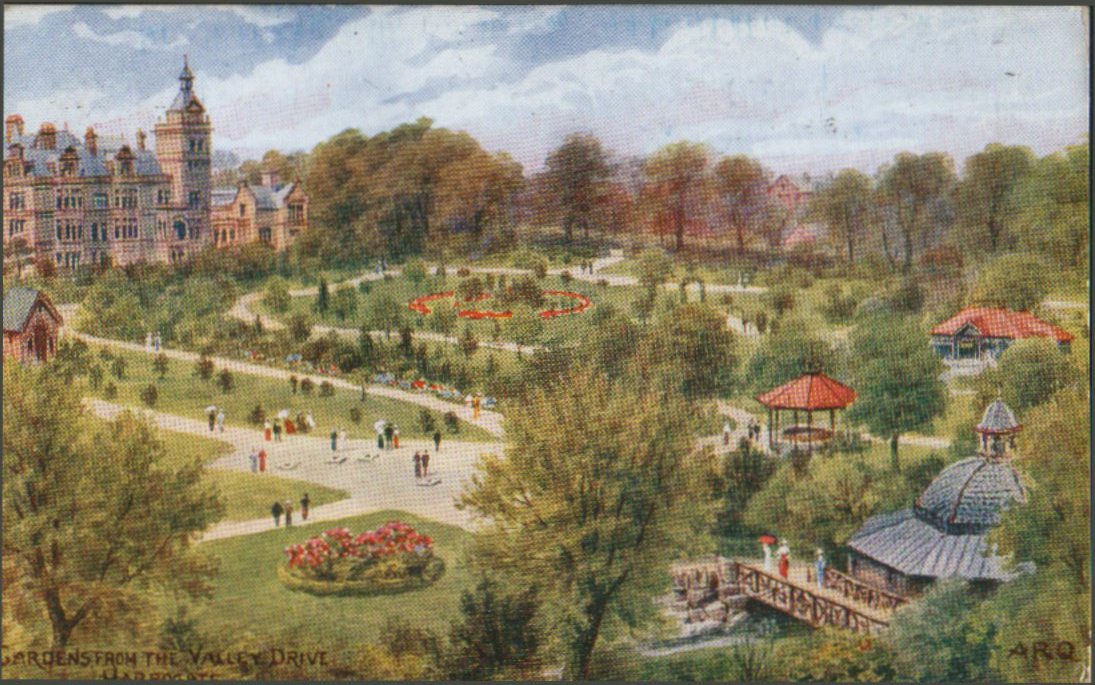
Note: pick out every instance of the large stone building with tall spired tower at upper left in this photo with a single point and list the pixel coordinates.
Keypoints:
(100, 201)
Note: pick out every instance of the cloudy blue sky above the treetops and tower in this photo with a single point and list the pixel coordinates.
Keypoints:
(804, 89)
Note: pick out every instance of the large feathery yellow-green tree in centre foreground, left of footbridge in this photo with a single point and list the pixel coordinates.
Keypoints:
(593, 512)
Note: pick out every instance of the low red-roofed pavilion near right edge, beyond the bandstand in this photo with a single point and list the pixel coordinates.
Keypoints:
(987, 332)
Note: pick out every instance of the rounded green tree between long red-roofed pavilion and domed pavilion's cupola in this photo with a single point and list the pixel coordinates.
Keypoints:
(1028, 374)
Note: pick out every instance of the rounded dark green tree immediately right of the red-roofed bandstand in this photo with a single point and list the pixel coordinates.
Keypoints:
(897, 377)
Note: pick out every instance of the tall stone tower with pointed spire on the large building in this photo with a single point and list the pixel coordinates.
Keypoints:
(183, 146)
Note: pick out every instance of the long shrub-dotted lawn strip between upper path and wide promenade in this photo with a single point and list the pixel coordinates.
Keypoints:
(181, 392)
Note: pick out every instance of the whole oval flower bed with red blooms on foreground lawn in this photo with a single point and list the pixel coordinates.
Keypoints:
(390, 560)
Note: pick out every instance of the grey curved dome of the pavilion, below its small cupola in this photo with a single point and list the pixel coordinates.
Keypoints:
(969, 496)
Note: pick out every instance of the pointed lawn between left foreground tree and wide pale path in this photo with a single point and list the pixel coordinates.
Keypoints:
(247, 496)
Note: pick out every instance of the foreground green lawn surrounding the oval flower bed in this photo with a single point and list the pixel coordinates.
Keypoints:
(250, 600)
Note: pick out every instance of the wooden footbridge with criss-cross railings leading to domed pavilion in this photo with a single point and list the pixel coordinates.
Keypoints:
(843, 601)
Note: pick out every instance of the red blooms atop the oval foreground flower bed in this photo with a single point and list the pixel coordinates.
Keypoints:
(320, 554)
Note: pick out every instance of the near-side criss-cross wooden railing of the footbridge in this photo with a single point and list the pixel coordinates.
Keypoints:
(802, 603)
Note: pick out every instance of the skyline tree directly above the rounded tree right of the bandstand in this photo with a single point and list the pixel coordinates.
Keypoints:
(912, 188)
